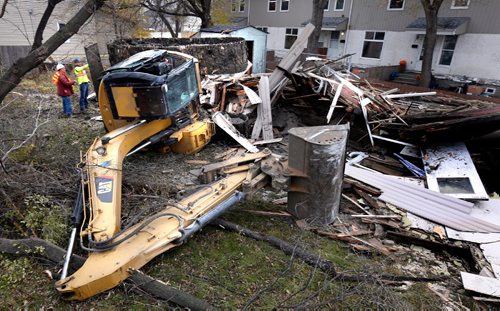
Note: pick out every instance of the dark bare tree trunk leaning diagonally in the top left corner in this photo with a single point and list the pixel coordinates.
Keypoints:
(23, 65)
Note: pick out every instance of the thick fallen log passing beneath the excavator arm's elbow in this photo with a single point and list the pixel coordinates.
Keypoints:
(47, 250)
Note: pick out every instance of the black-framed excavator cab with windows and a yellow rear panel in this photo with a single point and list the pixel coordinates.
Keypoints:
(153, 84)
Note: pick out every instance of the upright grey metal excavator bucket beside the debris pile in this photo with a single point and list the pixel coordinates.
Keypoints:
(316, 164)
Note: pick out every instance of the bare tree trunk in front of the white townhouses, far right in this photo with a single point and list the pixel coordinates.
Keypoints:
(431, 9)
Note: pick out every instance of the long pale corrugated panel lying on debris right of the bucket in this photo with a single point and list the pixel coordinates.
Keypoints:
(434, 206)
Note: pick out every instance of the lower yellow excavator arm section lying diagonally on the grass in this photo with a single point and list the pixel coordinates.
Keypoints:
(155, 235)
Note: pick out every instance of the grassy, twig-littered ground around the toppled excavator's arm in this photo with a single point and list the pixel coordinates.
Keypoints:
(228, 270)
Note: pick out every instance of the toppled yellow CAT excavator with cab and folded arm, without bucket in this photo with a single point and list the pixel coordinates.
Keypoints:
(149, 99)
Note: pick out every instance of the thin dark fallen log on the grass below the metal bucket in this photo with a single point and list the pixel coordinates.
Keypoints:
(316, 261)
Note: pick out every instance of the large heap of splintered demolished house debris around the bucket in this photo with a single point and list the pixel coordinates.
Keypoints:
(424, 129)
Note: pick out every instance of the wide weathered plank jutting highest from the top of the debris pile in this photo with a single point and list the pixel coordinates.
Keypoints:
(290, 59)
